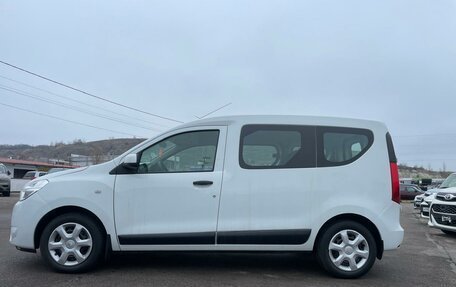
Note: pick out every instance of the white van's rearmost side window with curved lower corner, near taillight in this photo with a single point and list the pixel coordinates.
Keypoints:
(340, 146)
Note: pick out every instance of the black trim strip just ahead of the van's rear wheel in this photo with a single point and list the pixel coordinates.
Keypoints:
(266, 237)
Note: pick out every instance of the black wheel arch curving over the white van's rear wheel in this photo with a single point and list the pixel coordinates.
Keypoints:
(357, 218)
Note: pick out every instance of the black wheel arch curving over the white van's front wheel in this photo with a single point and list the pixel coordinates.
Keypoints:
(59, 211)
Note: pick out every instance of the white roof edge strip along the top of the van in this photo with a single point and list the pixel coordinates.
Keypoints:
(286, 119)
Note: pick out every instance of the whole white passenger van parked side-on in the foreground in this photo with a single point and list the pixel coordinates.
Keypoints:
(241, 183)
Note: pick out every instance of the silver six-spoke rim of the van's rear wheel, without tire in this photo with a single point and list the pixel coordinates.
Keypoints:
(348, 250)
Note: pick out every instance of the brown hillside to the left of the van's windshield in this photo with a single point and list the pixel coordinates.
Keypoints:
(63, 151)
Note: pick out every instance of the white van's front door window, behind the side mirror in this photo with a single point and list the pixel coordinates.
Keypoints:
(186, 152)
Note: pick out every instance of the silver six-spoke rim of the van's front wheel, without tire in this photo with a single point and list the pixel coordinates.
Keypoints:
(70, 244)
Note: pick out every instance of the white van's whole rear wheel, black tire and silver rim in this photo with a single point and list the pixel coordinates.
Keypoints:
(347, 258)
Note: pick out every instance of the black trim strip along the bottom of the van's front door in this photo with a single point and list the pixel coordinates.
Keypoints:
(169, 239)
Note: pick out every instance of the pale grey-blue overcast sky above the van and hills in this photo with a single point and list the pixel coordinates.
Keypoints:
(390, 60)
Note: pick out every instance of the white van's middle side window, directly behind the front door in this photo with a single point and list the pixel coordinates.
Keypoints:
(277, 146)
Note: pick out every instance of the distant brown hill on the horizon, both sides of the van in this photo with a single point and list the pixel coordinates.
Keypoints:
(112, 147)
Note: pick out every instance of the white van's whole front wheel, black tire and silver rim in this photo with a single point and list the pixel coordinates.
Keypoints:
(72, 243)
